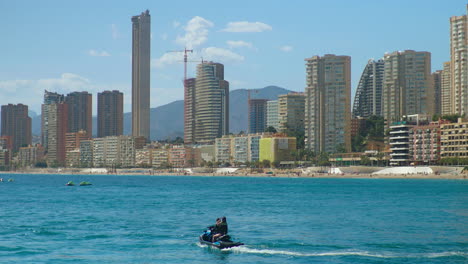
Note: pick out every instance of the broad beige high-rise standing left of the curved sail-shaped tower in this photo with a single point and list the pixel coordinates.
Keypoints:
(328, 103)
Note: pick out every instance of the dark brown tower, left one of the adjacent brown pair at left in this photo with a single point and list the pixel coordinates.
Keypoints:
(80, 113)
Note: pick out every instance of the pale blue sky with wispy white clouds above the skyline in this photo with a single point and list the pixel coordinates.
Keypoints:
(66, 46)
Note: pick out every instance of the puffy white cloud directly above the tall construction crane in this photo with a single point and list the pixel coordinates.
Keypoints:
(196, 32)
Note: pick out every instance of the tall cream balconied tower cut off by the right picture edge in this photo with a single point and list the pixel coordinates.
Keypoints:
(459, 63)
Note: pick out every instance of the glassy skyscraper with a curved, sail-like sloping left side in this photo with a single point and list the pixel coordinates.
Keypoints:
(368, 99)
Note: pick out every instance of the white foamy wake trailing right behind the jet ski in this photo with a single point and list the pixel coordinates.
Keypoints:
(244, 249)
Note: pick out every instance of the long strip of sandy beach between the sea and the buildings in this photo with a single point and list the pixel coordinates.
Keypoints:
(280, 174)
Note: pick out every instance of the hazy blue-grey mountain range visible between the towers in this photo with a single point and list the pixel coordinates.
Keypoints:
(167, 121)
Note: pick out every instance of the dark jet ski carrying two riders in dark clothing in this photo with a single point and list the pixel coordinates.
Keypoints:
(216, 235)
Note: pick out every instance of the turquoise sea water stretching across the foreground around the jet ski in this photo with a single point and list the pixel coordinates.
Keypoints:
(143, 219)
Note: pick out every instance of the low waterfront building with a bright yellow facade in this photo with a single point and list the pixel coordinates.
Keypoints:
(277, 148)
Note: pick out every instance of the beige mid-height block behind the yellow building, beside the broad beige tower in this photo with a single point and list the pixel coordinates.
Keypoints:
(291, 112)
